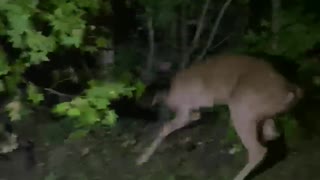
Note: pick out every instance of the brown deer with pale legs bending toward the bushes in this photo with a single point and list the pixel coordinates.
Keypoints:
(253, 90)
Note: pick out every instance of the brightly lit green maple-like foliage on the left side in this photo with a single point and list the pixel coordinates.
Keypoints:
(31, 31)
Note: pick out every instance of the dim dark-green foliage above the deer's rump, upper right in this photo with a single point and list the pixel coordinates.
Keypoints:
(298, 34)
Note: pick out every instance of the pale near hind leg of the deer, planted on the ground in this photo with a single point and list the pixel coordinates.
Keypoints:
(245, 124)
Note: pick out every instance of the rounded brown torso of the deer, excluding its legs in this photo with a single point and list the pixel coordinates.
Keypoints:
(222, 77)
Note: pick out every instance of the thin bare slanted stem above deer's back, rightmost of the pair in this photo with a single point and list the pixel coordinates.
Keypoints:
(214, 30)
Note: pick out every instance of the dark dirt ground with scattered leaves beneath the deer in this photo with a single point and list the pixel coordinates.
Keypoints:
(198, 152)
